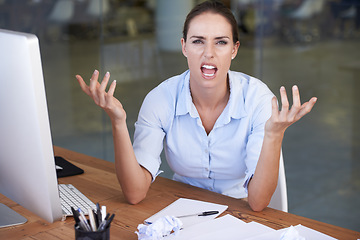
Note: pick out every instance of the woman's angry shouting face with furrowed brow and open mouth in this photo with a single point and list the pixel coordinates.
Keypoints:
(209, 49)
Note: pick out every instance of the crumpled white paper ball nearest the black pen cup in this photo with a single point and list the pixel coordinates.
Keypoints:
(158, 229)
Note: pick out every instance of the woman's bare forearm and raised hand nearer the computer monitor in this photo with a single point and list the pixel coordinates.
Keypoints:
(134, 179)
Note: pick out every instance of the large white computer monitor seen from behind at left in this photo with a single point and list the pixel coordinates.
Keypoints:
(27, 166)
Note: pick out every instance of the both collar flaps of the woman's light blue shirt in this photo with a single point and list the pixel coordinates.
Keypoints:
(234, 108)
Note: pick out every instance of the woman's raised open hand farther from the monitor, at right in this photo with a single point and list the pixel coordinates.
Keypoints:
(281, 120)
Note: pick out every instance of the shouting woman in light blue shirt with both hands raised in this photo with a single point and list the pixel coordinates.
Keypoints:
(221, 130)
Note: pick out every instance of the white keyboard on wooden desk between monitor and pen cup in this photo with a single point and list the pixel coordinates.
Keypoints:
(72, 197)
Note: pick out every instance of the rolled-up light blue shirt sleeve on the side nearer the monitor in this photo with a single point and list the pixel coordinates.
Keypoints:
(149, 132)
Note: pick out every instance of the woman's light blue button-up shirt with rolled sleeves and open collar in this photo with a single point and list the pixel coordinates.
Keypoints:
(223, 160)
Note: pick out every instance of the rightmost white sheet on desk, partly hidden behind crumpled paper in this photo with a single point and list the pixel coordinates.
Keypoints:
(307, 233)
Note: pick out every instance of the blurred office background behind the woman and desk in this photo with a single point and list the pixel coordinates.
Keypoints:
(312, 43)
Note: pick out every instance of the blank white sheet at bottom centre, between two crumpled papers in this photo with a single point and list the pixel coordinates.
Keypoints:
(226, 227)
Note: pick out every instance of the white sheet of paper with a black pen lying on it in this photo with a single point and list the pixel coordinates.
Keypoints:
(184, 206)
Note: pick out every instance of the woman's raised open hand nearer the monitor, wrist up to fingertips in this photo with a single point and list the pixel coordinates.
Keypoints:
(106, 100)
